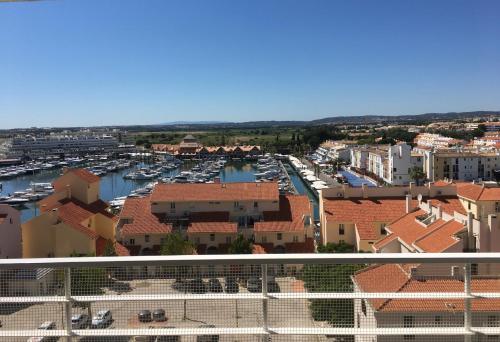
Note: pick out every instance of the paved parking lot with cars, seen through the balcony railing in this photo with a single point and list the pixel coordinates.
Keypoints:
(221, 313)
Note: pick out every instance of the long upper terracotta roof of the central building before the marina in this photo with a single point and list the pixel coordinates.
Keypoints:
(215, 192)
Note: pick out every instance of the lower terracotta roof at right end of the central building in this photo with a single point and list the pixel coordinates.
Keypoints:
(290, 217)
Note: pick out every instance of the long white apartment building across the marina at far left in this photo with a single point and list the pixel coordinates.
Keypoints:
(33, 146)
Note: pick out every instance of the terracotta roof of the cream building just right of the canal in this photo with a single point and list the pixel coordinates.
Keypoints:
(364, 213)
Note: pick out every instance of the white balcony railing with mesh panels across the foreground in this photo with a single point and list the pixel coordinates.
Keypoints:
(251, 297)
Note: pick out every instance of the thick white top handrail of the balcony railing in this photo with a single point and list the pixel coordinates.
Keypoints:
(255, 259)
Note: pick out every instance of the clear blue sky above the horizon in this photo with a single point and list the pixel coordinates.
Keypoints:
(67, 63)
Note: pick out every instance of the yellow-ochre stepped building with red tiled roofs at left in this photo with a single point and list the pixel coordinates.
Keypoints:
(73, 220)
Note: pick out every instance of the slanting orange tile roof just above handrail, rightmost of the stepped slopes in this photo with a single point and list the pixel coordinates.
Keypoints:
(441, 238)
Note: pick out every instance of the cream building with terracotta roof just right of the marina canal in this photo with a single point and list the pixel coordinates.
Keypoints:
(359, 216)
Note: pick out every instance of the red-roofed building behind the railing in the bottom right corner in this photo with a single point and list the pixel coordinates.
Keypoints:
(420, 313)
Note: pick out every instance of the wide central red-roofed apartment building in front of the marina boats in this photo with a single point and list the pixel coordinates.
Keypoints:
(211, 216)
